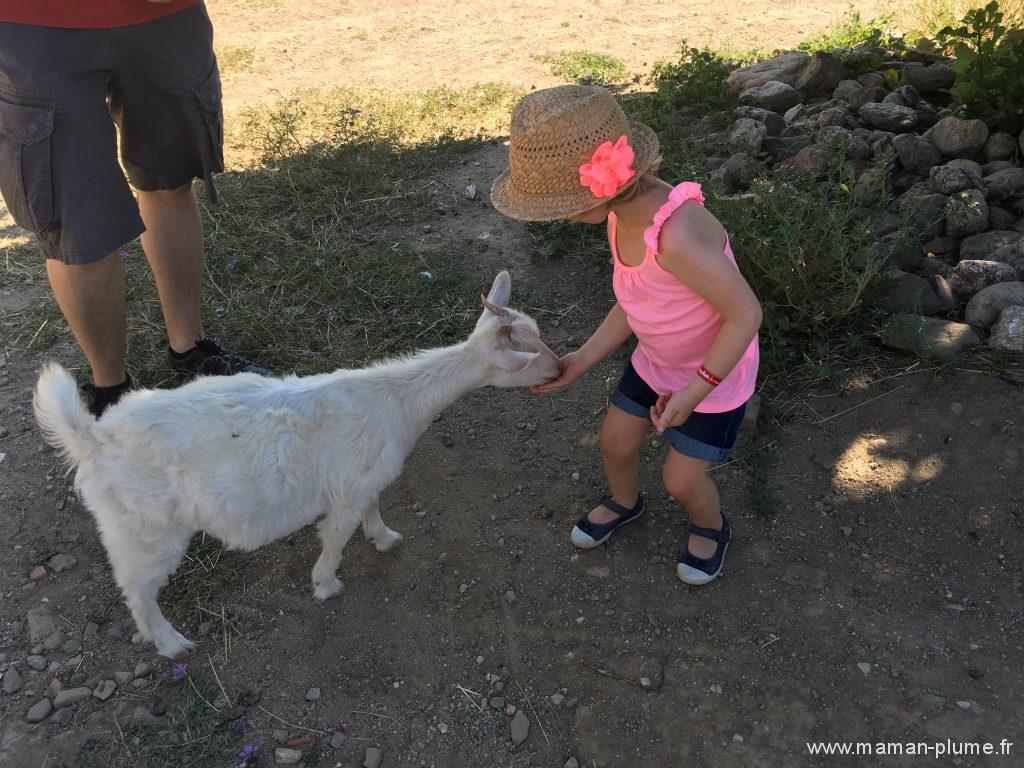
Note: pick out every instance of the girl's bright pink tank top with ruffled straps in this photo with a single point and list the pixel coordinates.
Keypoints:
(675, 327)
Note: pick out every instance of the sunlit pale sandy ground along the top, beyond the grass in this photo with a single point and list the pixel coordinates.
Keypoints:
(407, 45)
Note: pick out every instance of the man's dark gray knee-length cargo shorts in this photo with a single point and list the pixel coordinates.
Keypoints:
(62, 94)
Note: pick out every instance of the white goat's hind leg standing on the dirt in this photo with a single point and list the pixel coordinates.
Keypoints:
(142, 566)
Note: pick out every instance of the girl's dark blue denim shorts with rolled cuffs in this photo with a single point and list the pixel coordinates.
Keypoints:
(706, 437)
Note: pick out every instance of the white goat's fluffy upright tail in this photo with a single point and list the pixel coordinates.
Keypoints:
(66, 423)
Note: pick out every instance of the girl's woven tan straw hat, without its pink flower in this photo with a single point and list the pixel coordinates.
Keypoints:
(556, 132)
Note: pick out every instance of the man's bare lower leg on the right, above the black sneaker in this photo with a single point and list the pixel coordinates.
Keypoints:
(174, 245)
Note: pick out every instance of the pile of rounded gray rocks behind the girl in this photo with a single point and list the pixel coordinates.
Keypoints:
(958, 188)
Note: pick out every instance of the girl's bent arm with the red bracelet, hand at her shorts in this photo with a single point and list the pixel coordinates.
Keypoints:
(693, 250)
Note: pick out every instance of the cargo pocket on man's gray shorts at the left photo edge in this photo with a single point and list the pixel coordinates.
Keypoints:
(26, 174)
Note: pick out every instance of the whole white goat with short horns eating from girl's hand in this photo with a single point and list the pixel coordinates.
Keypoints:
(250, 459)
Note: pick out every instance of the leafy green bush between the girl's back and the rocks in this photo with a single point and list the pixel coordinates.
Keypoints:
(809, 250)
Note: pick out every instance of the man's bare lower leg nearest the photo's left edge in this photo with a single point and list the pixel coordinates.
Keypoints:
(93, 300)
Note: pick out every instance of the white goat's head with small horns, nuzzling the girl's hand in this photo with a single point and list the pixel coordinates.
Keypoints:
(511, 343)
